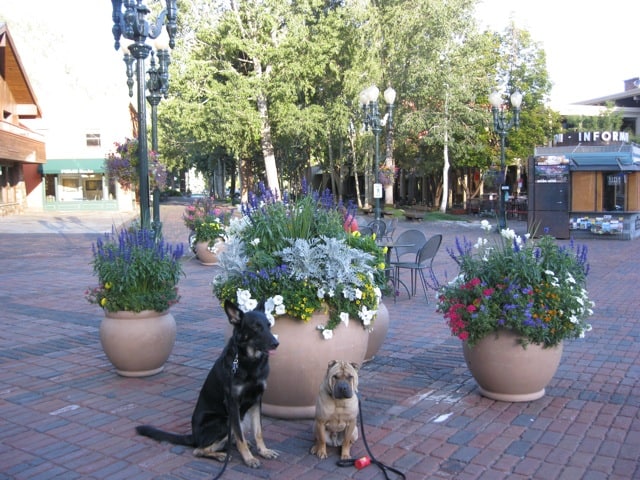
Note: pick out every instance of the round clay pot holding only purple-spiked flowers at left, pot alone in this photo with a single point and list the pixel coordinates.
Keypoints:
(138, 344)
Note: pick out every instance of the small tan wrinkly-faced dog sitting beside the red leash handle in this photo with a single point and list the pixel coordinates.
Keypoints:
(336, 422)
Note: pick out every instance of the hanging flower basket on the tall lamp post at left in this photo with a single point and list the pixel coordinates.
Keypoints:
(122, 164)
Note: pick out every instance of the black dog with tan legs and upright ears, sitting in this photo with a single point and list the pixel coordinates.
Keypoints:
(233, 389)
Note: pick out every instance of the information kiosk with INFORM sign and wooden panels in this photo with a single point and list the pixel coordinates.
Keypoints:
(587, 184)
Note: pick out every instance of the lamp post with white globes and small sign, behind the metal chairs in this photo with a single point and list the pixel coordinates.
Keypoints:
(372, 120)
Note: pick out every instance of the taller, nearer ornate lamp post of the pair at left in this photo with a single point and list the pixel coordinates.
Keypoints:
(131, 24)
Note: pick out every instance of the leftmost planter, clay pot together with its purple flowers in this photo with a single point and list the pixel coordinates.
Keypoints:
(138, 274)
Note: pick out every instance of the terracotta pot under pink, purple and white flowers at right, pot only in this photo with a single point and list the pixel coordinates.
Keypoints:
(506, 371)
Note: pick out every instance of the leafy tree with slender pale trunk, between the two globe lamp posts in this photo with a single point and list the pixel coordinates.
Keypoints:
(440, 65)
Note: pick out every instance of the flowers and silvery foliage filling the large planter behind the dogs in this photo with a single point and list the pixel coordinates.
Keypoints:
(296, 255)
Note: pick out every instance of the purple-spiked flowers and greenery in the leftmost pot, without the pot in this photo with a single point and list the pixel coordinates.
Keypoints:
(136, 271)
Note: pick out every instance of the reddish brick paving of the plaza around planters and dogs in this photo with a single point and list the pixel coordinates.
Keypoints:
(66, 414)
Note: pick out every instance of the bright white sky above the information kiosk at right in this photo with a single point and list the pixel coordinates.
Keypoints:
(591, 47)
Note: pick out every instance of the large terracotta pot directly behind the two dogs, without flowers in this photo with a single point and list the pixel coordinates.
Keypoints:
(300, 363)
